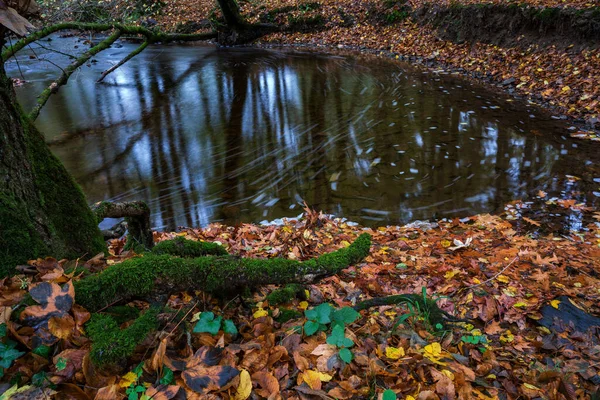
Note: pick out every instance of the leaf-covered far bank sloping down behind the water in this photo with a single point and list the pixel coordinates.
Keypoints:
(540, 57)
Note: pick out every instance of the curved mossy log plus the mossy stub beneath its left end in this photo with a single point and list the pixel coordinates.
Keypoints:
(167, 270)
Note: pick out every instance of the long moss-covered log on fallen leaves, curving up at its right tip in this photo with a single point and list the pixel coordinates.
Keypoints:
(154, 276)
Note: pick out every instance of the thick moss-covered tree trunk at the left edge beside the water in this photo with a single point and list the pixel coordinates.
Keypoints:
(42, 210)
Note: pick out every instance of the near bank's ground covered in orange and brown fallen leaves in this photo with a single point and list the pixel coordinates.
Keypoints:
(501, 274)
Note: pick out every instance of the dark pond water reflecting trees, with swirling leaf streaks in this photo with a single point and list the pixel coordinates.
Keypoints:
(207, 135)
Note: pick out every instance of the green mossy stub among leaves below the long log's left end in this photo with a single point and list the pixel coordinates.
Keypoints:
(112, 345)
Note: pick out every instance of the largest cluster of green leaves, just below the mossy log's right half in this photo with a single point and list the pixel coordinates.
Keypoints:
(325, 314)
